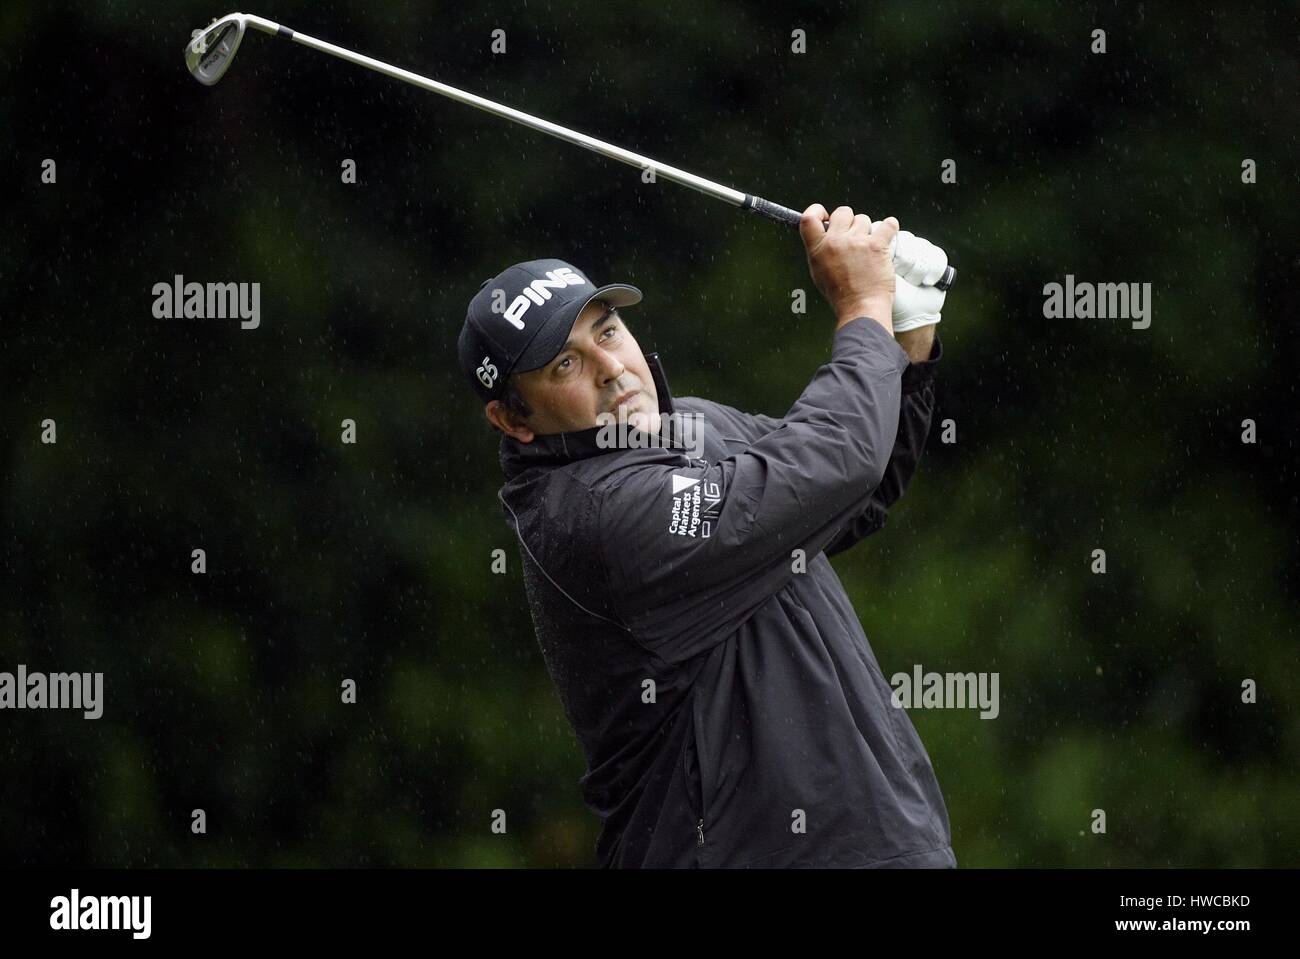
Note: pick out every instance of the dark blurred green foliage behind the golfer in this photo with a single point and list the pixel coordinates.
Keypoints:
(371, 562)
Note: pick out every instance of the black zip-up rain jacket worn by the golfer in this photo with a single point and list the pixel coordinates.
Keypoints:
(730, 708)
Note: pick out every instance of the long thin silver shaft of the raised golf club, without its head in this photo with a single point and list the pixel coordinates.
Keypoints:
(773, 211)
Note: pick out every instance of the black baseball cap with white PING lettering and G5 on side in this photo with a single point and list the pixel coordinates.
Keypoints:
(521, 320)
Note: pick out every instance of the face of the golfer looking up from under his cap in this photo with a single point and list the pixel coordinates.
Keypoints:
(600, 366)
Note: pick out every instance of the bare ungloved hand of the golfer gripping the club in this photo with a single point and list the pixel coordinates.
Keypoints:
(851, 263)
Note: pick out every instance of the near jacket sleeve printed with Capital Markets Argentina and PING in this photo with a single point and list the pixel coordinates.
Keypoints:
(695, 550)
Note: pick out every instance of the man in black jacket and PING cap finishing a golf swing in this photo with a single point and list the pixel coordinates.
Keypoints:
(730, 708)
